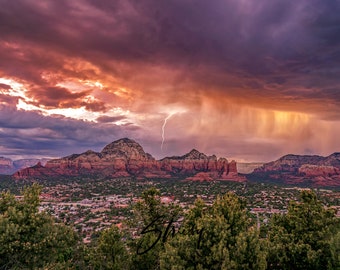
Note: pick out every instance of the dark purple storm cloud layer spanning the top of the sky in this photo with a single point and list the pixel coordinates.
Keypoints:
(276, 42)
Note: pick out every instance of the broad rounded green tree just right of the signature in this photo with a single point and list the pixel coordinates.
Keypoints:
(220, 236)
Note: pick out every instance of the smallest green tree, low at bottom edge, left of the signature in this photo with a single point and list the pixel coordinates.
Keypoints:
(109, 252)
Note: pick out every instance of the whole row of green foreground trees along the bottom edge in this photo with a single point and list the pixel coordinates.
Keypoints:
(221, 235)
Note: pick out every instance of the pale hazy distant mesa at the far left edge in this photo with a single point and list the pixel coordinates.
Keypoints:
(8, 166)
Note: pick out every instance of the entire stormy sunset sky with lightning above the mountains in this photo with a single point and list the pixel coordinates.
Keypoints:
(243, 79)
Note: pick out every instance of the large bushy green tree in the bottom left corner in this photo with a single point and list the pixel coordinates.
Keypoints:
(30, 239)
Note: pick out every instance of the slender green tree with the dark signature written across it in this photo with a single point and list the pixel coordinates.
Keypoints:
(154, 221)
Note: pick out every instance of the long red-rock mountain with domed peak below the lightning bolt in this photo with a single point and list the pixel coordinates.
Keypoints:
(125, 157)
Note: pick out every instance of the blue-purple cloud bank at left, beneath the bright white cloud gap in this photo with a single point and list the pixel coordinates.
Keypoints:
(30, 132)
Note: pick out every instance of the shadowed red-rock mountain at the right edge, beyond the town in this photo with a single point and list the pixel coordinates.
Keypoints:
(301, 170)
